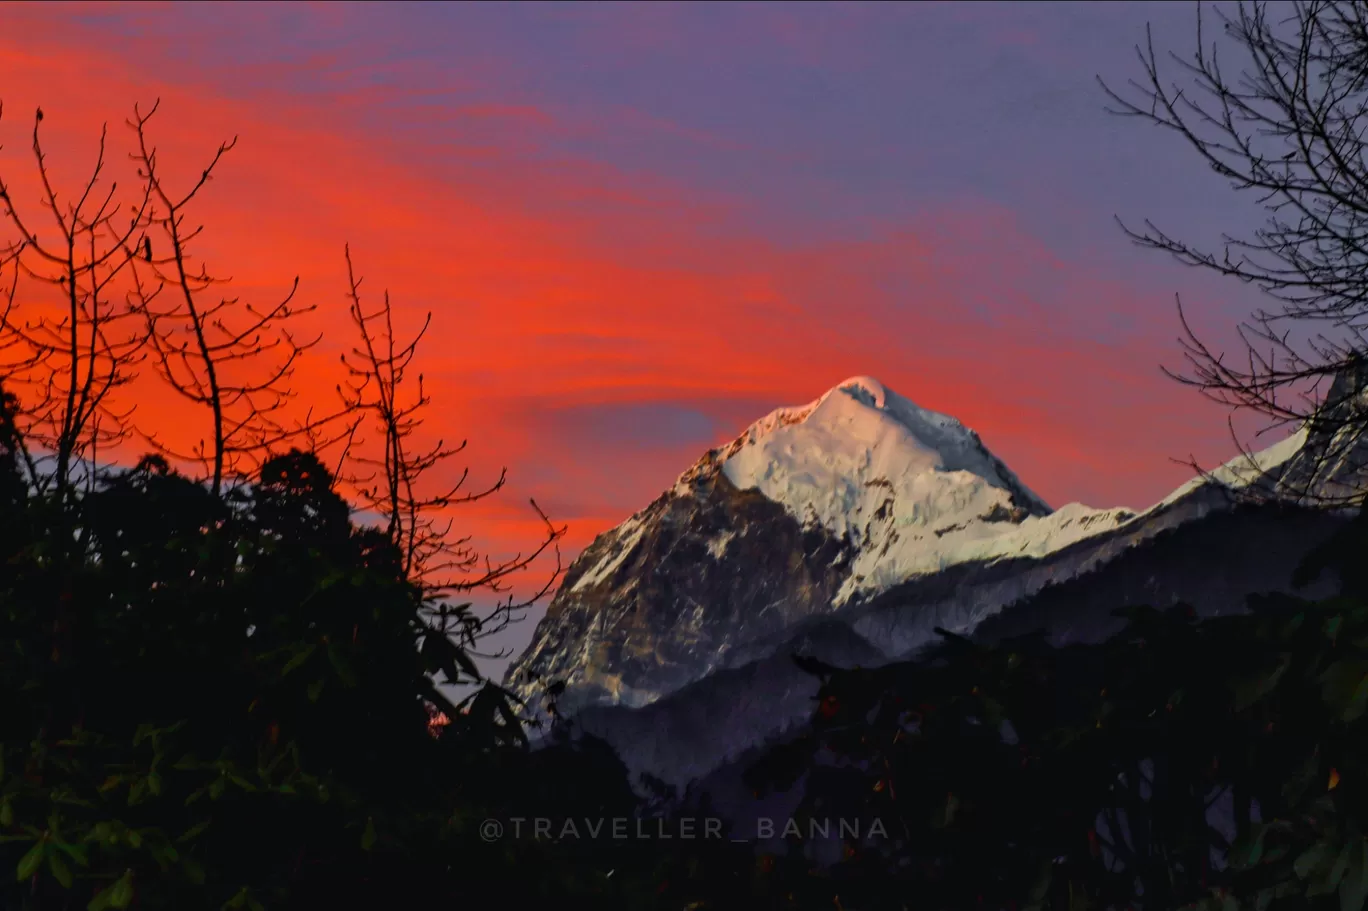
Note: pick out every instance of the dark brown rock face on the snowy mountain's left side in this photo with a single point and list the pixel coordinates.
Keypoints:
(663, 600)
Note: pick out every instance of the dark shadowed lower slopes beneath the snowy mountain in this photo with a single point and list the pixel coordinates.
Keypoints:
(1215, 562)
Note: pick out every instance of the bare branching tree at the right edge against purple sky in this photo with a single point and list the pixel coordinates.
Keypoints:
(1285, 127)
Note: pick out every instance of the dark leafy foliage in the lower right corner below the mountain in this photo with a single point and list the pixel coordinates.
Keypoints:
(1184, 763)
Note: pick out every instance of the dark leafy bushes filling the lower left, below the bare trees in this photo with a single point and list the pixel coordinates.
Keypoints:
(226, 701)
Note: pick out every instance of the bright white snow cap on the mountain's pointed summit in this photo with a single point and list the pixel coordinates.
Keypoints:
(912, 489)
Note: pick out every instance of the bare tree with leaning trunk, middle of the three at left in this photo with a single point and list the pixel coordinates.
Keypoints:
(231, 358)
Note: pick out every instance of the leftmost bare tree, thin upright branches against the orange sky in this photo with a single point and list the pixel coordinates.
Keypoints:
(66, 365)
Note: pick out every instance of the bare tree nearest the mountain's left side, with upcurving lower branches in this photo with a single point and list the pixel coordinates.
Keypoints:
(397, 488)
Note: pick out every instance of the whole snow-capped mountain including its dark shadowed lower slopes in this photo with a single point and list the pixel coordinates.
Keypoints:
(852, 529)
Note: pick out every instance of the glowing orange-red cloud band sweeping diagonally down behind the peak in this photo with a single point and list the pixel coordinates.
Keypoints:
(562, 287)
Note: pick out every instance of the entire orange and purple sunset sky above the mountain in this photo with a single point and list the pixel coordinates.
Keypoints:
(638, 228)
